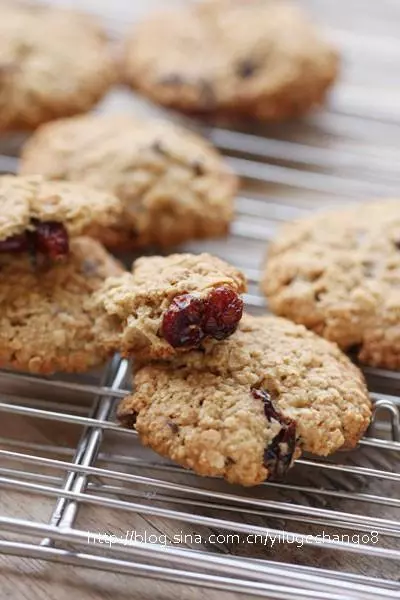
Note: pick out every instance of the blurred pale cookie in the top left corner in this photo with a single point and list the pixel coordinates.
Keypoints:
(53, 63)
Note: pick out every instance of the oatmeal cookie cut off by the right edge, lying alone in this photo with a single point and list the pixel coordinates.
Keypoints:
(339, 274)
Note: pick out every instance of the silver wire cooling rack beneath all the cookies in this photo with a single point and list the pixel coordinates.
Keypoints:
(331, 530)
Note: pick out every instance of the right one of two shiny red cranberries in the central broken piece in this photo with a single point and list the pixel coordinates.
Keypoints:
(223, 309)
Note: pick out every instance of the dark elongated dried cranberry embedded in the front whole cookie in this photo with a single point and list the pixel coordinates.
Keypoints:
(278, 455)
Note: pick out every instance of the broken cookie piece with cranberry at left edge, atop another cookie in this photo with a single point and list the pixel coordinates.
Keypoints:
(39, 216)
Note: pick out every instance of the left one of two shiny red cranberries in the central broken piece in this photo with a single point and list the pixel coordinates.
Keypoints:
(182, 322)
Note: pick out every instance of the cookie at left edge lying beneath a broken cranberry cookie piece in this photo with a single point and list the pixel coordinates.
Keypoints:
(45, 323)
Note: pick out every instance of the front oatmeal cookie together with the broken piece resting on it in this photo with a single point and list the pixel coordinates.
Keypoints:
(224, 395)
